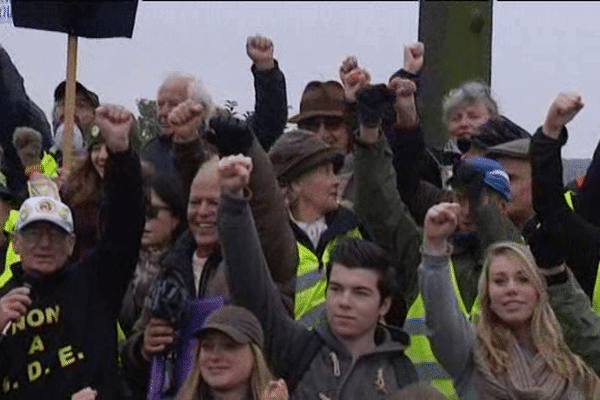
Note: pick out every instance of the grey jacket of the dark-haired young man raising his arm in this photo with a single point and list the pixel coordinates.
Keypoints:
(331, 374)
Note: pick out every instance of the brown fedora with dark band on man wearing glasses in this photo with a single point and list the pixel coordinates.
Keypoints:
(321, 99)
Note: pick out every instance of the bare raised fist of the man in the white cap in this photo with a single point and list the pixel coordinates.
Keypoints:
(115, 124)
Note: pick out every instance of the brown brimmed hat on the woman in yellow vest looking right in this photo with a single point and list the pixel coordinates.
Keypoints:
(299, 151)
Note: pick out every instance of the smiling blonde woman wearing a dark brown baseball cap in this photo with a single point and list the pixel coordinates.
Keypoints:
(229, 362)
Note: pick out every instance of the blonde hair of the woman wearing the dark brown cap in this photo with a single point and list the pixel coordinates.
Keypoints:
(194, 387)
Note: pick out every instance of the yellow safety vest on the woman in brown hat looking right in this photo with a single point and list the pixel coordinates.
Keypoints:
(311, 279)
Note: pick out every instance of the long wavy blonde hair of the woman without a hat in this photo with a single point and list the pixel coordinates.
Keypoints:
(495, 336)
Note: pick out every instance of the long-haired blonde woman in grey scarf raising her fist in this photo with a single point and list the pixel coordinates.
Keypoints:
(516, 349)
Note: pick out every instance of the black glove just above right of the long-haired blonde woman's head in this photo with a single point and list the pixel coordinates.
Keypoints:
(547, 245)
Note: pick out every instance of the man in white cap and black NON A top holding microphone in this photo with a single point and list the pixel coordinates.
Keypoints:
(58, 319)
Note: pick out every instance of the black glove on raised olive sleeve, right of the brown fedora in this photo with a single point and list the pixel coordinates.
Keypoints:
(372, 103)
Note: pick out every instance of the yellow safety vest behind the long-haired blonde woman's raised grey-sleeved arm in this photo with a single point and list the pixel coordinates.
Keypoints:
(419, 351)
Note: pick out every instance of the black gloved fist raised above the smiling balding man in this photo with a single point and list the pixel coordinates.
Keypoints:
(230, 135)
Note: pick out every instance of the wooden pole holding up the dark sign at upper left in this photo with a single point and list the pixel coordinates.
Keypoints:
(70, 95)
